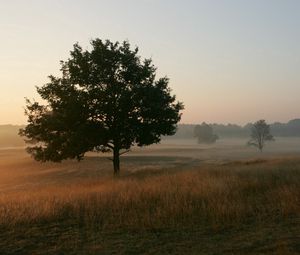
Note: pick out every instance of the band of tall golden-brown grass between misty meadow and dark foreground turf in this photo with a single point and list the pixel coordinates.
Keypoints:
(214, 195)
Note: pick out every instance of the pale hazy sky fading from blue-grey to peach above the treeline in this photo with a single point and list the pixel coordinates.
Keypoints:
(228, 61)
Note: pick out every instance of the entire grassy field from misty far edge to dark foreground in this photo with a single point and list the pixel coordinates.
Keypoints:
(173, 198)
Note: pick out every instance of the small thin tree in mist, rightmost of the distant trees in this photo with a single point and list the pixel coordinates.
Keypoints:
(260, 134)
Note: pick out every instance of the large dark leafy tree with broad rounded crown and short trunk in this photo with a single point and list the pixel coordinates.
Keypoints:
(107, 99)
